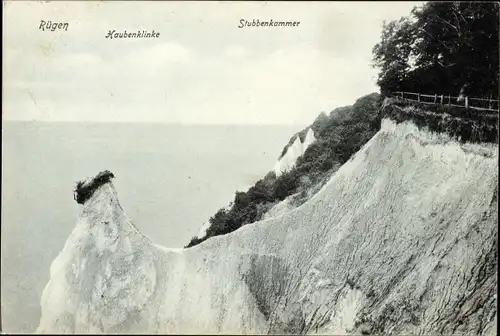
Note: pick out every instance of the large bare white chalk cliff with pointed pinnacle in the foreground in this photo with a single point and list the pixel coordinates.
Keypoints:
(401, 240)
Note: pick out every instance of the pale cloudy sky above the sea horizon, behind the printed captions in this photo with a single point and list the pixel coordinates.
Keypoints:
(202, 69)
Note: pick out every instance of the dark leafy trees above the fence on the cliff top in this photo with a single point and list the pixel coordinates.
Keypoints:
(440, 48)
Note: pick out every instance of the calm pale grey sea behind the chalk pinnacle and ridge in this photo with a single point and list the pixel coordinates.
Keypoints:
(170, 179)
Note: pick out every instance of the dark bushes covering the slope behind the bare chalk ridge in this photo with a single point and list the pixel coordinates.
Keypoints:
(338, 137)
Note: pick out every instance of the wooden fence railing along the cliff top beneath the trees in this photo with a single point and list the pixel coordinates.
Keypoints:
(483, 104)
